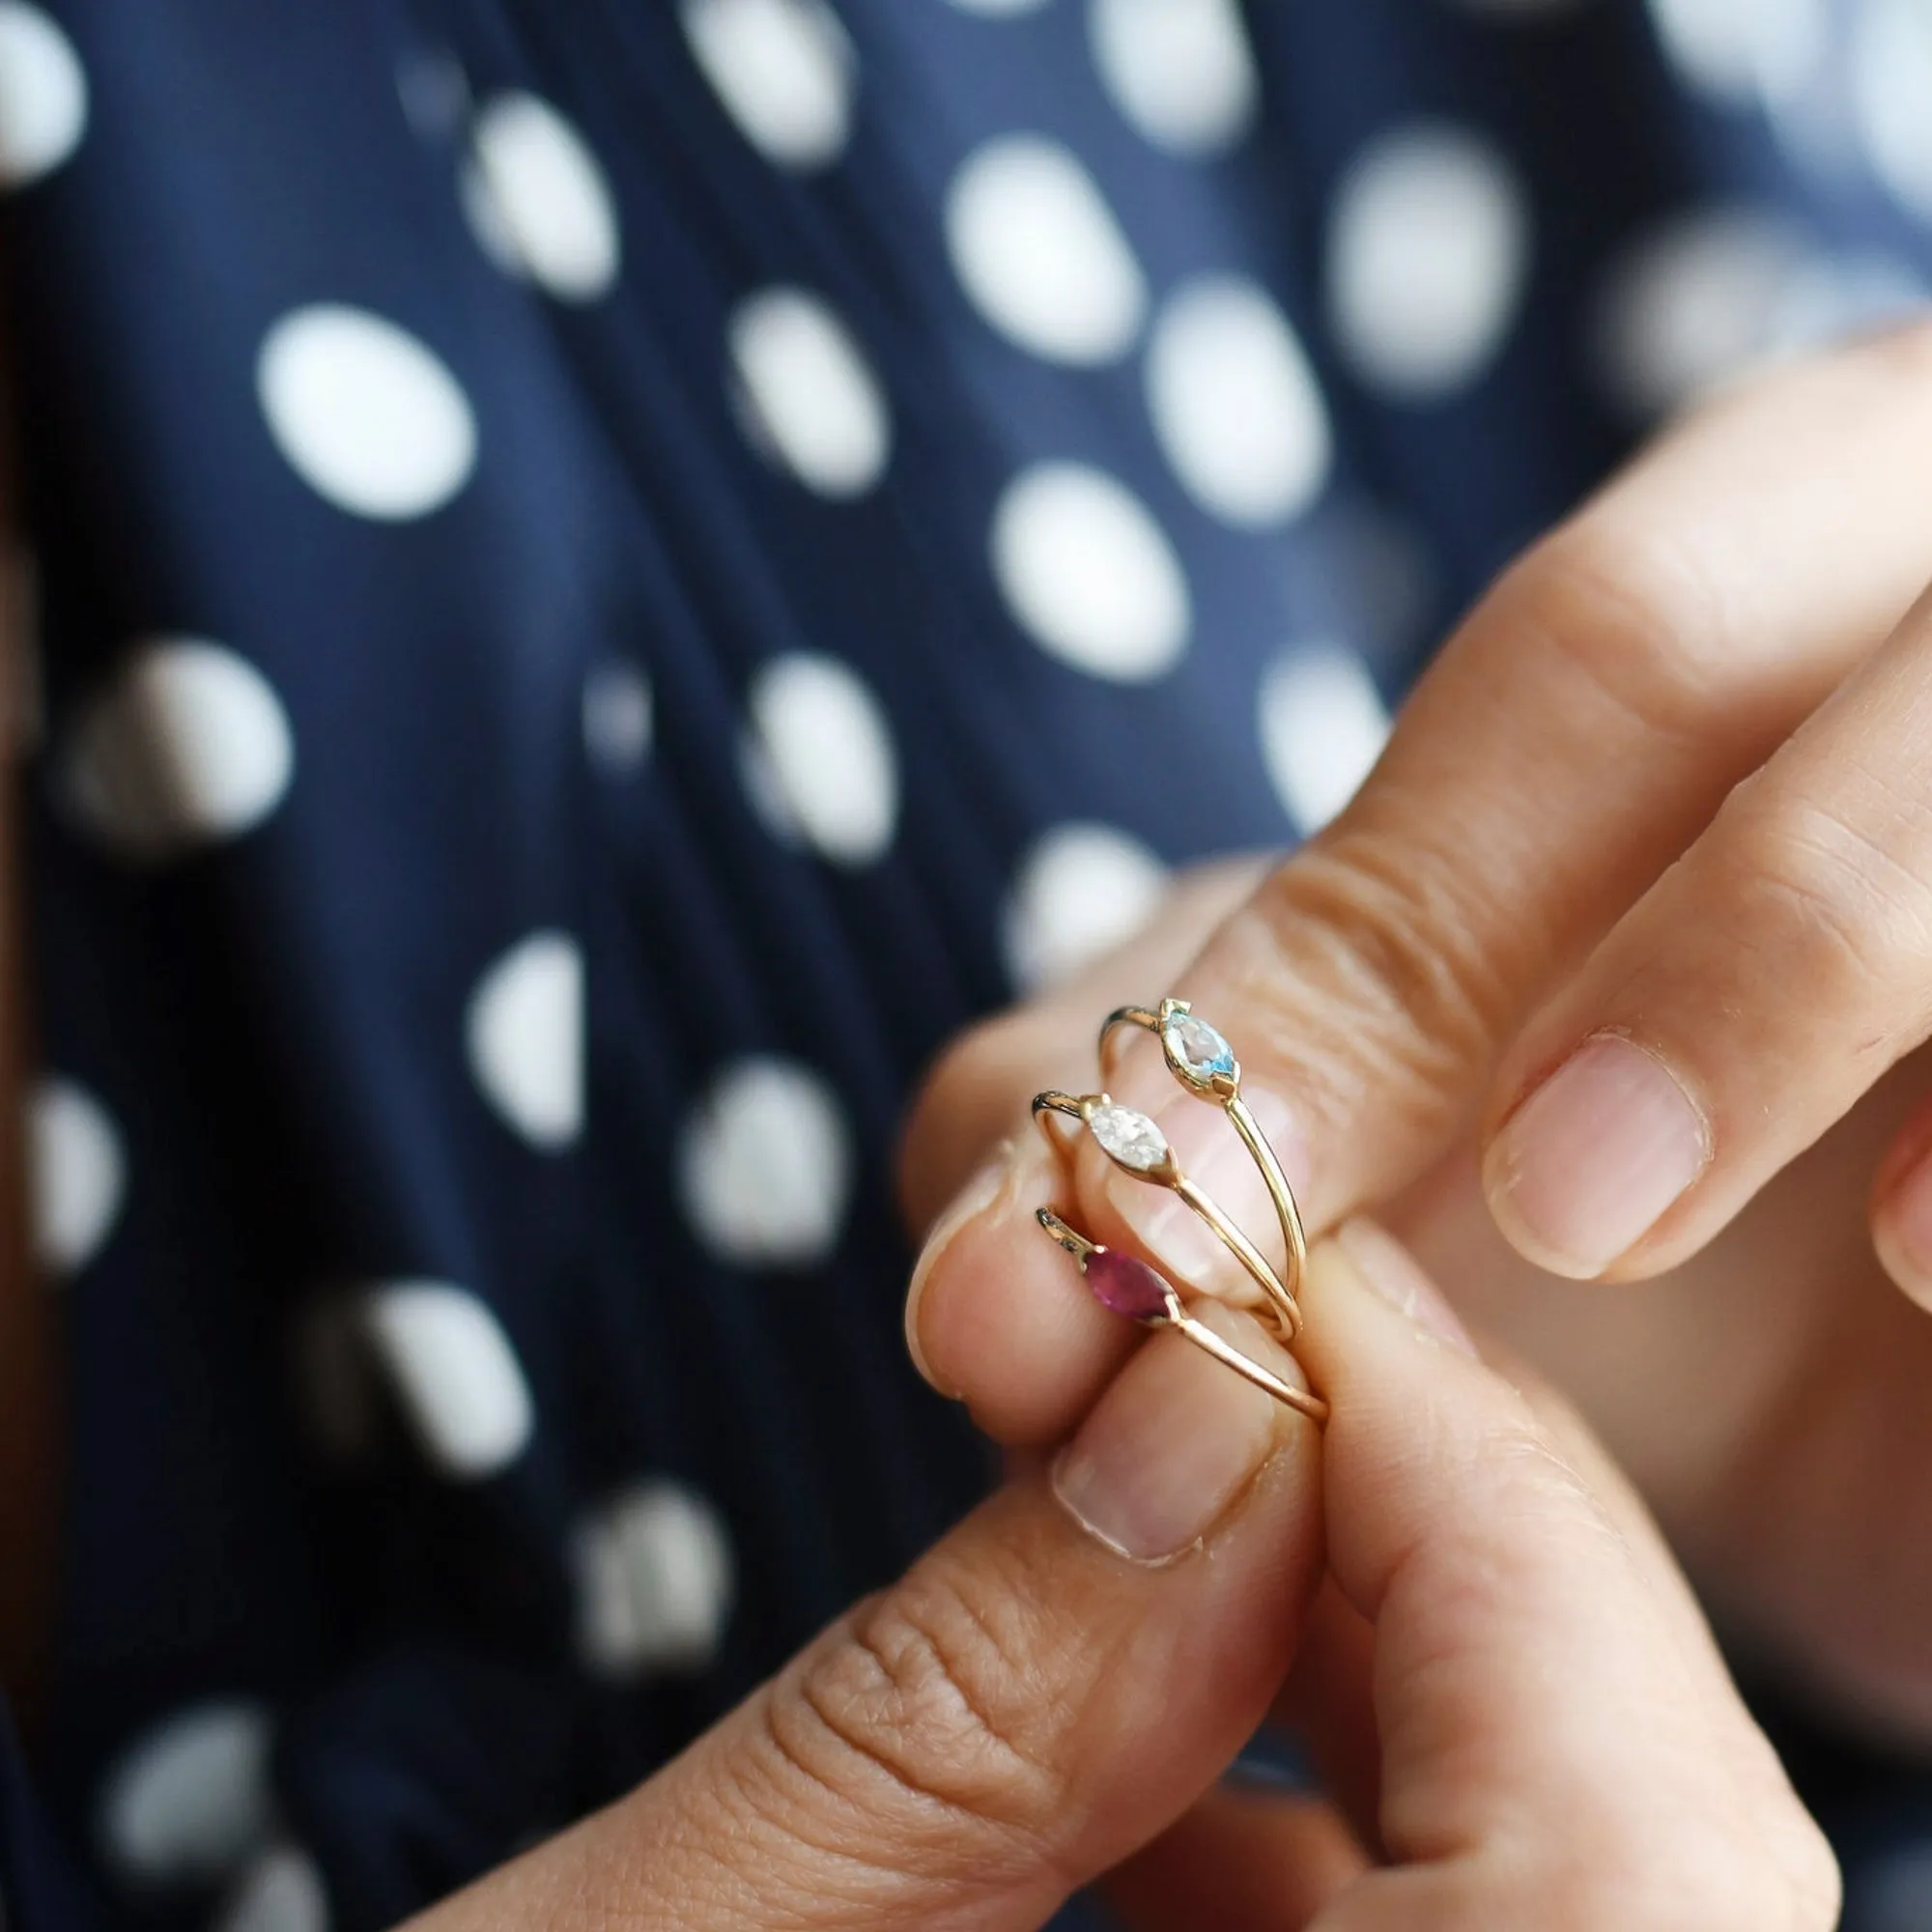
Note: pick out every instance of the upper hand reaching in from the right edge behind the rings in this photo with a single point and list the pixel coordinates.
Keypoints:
(1632, 915)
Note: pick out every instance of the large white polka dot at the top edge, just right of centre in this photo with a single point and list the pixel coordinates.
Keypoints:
(1179, 71)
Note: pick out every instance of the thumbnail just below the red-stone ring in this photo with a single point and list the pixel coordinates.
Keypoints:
(1172, 1444)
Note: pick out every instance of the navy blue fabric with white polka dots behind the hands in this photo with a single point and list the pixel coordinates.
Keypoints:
(561, 538)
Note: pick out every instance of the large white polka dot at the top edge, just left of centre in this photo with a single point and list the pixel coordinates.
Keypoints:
(783, 71)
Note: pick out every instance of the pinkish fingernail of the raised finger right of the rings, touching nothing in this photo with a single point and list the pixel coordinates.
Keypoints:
(1589, 1164)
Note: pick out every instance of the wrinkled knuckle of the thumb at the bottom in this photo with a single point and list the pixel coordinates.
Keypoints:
(926, 1715)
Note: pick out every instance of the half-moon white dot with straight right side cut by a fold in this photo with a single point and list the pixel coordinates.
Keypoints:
(526, 1038)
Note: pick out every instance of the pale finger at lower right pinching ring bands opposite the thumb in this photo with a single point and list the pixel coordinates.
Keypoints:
(1560, 1740)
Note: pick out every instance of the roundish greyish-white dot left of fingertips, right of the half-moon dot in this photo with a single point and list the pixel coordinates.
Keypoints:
(766, 1166)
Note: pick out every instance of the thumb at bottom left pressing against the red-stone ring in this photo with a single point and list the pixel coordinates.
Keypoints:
(1042, 1693)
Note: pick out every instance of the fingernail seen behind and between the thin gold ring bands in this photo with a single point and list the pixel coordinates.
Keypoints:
(1214, 1158)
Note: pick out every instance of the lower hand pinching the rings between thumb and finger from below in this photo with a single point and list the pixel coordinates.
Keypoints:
(1052, 1691)
